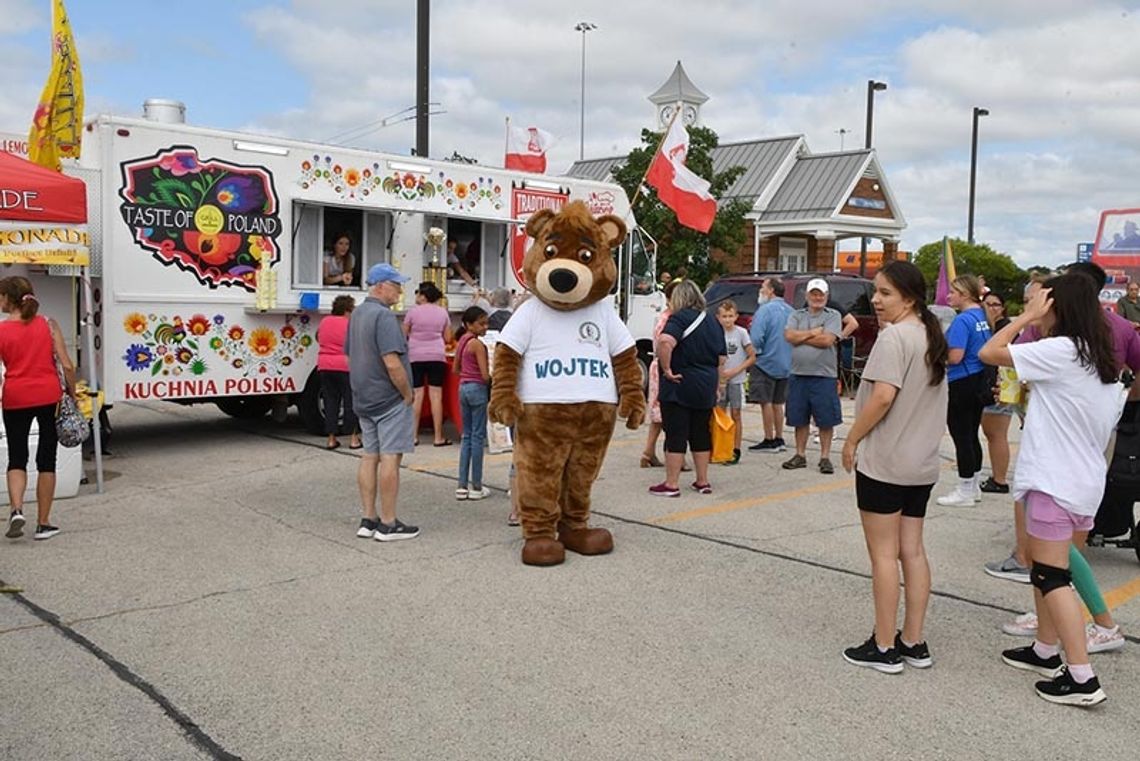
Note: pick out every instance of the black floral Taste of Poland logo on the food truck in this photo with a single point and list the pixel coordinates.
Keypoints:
(211, 218)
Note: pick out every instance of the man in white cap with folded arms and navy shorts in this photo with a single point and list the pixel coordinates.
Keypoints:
(812, 392)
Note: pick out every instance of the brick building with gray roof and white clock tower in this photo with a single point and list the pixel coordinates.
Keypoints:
(803, 203)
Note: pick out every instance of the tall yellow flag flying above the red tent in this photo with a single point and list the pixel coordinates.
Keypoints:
(58, 128)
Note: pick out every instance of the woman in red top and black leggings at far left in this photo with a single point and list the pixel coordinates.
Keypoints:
(29, 349)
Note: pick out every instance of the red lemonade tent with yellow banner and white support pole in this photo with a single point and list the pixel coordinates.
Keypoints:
(44, 223)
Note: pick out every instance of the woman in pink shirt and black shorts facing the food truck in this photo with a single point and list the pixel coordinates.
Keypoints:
(428, 328)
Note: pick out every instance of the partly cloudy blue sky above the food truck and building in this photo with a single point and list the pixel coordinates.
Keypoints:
(1061, 80)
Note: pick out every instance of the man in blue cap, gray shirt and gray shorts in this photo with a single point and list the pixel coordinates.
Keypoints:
(380, 374)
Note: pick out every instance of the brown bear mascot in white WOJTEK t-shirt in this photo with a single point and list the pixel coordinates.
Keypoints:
(566, 367)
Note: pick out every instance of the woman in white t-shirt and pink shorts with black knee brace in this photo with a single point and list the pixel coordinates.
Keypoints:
(1061, 467)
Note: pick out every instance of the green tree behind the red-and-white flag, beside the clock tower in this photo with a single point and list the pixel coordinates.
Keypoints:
(680, 247)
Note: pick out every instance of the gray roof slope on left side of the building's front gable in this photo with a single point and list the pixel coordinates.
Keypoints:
(815, 187)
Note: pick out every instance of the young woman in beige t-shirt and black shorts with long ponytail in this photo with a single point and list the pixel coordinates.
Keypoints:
(900, 413)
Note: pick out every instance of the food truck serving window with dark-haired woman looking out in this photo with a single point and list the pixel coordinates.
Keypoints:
(335, 247)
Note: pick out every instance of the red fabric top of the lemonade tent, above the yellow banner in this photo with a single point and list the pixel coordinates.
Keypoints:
(30, 193)
